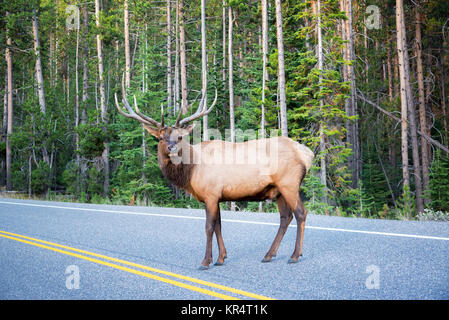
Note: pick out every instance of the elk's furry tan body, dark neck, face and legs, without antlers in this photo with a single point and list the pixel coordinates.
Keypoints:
(213, 182)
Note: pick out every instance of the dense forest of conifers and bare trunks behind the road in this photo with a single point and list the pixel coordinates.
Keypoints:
(363, 83)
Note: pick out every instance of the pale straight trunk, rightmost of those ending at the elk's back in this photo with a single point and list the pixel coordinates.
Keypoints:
(281, 70)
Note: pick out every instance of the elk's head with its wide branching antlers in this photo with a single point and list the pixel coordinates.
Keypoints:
(170, 137)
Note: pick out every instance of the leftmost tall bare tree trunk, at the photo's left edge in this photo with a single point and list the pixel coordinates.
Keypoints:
(8, 58)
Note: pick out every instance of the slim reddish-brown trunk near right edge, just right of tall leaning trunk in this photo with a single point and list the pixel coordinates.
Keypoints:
(422, 102)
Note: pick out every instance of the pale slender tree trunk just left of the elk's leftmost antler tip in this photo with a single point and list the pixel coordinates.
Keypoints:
(103, 109)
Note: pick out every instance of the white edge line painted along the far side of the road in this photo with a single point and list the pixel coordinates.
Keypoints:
(228, 220)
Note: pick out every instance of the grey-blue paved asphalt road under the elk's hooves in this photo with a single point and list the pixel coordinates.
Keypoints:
(52, 250)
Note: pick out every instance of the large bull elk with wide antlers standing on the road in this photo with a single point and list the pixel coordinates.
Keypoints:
(216, 171)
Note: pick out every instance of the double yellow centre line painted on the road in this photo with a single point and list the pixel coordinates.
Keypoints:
(87, 255)
